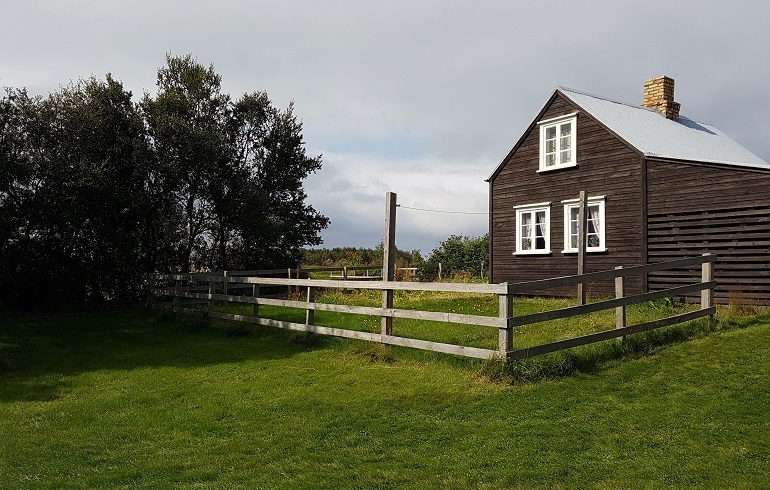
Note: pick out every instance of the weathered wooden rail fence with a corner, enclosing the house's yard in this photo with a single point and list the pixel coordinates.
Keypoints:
(181, 287)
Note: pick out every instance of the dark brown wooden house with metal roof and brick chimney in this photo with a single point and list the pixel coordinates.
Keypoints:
(660, 187)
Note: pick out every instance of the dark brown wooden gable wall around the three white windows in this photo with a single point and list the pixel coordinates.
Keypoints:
(607, 166)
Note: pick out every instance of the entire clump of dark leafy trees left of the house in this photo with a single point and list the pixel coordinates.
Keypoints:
(96, 191)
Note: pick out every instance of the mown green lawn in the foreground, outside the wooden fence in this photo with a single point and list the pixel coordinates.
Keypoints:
(139, 400)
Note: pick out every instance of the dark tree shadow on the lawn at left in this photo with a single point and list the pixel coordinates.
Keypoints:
(39, 354)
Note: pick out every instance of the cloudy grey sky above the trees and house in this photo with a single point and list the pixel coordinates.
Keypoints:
(421, 98)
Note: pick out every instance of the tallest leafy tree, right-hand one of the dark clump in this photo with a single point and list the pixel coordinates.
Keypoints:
(235, 171)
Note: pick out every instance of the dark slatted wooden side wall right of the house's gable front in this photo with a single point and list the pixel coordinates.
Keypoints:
(694, 209)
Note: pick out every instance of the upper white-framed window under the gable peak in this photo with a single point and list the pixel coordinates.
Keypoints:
(557, 142)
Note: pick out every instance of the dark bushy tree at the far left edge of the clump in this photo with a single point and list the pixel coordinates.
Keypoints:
(68, 194)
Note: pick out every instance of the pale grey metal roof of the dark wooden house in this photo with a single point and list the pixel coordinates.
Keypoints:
(655, 136)
